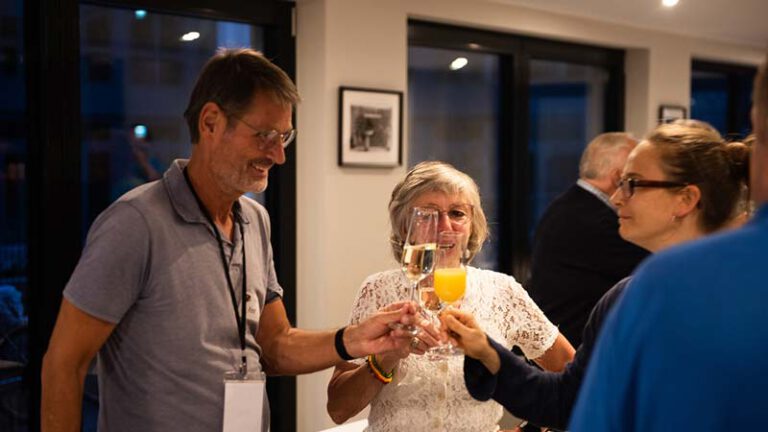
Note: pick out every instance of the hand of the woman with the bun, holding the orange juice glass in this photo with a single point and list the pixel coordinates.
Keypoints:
(464, 332)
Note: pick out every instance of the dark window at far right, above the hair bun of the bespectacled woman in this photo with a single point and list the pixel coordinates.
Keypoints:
(721, 94)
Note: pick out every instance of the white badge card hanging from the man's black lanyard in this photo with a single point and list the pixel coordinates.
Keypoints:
(244, 400)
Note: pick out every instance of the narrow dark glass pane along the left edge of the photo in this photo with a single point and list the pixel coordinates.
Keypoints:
(13, 217)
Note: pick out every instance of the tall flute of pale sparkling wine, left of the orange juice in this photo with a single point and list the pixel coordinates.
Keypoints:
(418, 258)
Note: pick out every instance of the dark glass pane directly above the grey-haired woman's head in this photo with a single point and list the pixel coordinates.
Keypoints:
(453, 117)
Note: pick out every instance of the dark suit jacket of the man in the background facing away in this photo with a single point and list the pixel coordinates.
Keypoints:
(577, 256)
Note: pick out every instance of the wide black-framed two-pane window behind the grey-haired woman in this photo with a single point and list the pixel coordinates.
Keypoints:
(515, 117)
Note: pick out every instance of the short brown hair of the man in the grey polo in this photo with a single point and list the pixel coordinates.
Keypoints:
(231, 78)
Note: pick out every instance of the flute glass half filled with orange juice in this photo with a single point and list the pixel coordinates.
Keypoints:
(450, 276)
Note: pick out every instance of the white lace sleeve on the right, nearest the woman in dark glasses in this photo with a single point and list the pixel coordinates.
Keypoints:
(529, 328)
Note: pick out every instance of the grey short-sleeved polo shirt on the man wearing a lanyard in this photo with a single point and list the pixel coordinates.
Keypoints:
(152, 266)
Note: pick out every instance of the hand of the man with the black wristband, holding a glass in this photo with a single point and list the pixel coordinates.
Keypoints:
(374, 335)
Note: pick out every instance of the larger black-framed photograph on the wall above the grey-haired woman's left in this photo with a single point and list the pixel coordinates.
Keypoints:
(370, 127)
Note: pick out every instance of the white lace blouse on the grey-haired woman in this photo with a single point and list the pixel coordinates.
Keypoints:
(430, 395)
